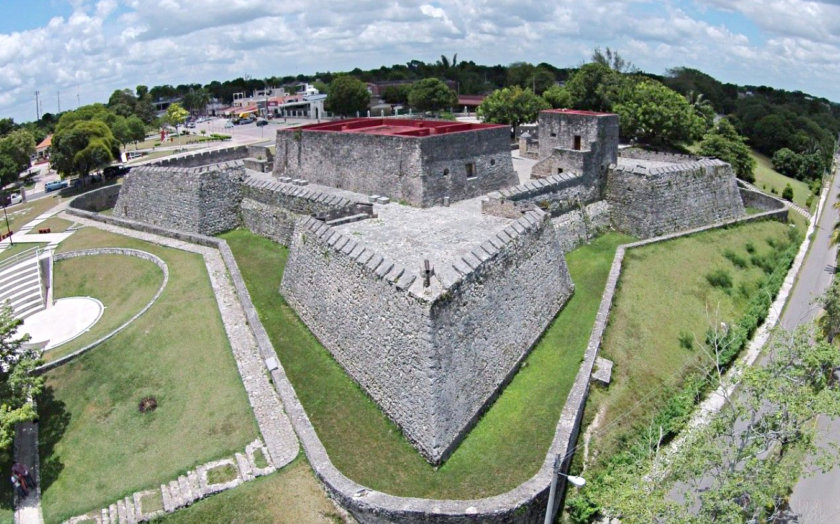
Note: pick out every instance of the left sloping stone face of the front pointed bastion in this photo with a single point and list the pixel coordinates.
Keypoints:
(356, 303)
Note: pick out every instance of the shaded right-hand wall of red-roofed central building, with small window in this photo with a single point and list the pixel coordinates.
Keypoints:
(488, 150)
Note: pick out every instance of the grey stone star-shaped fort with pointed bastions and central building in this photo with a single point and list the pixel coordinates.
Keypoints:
(431, 303)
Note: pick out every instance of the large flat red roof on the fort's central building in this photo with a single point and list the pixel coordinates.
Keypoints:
(395, 127)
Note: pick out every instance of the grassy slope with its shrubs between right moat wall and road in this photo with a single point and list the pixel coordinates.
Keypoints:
(665, 300)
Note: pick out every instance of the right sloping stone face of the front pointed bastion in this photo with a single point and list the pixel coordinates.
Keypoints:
(485, 324)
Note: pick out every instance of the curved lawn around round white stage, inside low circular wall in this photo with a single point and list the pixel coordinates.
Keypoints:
(123, 284)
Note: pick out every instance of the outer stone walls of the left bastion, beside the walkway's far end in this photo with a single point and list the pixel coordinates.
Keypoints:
(195, 200)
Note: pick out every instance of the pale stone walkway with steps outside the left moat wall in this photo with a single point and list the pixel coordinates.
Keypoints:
(281, 445)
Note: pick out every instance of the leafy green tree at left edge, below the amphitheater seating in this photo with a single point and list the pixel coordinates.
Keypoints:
(17, 382)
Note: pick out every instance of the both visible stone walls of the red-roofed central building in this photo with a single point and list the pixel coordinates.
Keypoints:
(419, 170)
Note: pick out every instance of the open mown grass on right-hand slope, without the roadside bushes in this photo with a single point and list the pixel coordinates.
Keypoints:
(665, 303)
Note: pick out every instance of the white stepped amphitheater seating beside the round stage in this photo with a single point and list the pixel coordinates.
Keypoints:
(20, 283)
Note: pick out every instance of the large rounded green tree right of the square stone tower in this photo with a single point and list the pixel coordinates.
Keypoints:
(656, 115)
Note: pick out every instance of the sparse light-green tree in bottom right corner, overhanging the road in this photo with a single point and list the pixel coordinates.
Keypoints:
(741, 465)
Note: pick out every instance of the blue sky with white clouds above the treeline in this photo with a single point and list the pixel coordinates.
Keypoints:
(84, 49)
